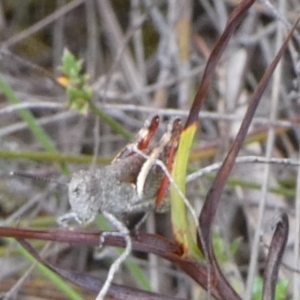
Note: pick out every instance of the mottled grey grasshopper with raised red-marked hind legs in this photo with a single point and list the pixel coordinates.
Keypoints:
(130, 184)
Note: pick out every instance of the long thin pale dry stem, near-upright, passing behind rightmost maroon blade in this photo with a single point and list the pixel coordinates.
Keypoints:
(265, 185)
